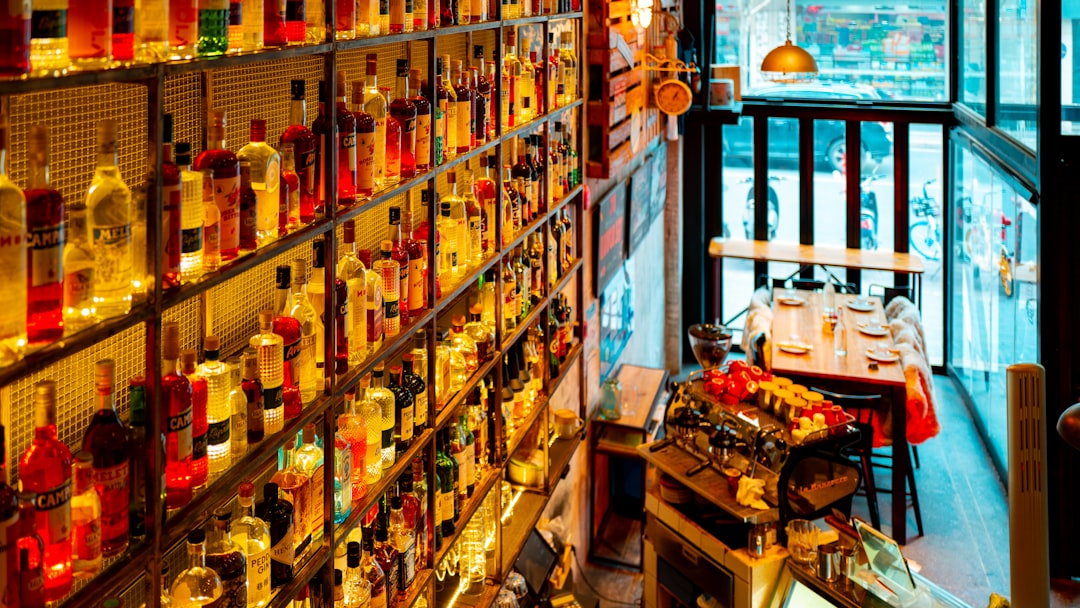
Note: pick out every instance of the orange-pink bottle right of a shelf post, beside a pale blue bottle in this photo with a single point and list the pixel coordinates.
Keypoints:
(350, 447)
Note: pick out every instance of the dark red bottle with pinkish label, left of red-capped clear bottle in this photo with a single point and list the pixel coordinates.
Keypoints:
(226, 170)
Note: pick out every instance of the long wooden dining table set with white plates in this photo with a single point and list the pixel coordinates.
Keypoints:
(849, 374)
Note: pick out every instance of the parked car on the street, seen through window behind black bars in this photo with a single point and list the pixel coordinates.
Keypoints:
(829, 136)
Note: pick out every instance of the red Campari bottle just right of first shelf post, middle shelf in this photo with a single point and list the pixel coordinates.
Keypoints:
(178, 421)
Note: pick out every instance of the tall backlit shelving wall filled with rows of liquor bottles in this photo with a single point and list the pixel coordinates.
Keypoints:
(240, 426)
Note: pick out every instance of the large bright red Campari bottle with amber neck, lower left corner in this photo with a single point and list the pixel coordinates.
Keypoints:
(46, 469)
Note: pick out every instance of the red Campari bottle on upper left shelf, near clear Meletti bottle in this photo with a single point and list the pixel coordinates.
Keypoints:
(45, 227)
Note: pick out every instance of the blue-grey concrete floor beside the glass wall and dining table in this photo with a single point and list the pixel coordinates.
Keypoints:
(965, 515)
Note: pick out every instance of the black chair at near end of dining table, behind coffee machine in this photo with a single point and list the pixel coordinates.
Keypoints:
(865, 408)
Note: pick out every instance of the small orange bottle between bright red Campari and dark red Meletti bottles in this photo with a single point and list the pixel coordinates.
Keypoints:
(86, 520)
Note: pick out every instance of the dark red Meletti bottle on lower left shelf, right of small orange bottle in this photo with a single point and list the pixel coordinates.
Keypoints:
(106, 439)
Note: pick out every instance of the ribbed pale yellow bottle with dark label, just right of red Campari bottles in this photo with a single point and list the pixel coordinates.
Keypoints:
(214, 376)
